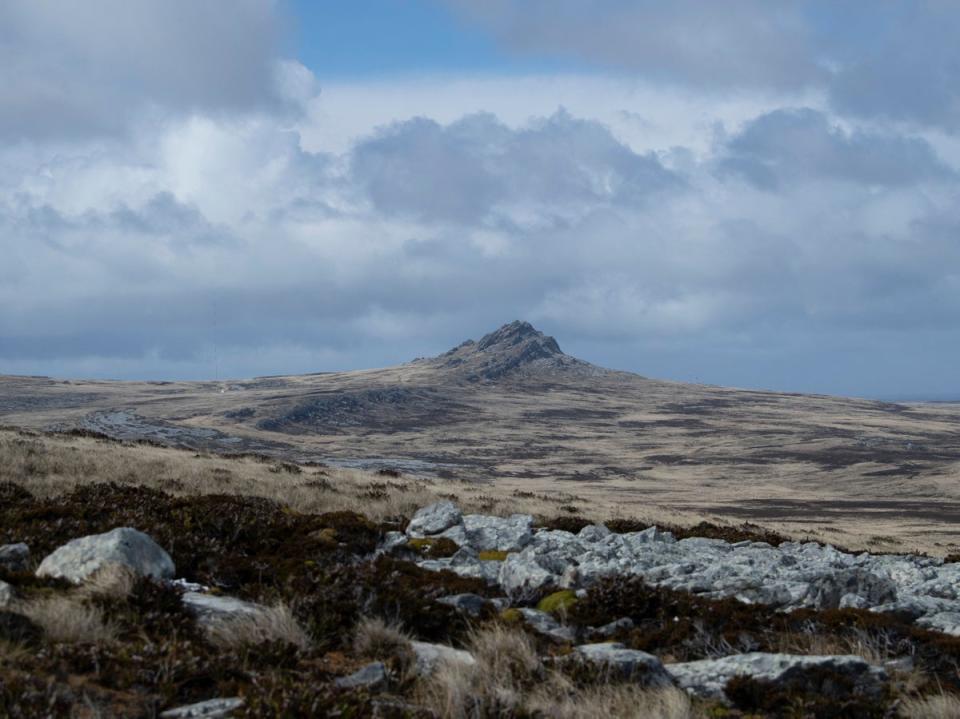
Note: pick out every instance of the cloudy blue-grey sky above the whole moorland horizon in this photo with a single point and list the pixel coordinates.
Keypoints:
(743, 193)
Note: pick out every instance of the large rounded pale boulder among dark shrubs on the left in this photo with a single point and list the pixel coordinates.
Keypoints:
(78, 559)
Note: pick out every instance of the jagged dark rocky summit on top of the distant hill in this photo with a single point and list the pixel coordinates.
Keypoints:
(517, 348)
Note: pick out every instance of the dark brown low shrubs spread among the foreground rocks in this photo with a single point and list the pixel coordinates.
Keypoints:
(320, 566)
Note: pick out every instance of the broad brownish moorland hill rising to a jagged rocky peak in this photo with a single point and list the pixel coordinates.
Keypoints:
(513, 408)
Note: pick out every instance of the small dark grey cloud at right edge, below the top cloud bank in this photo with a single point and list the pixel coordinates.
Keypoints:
(796, 144)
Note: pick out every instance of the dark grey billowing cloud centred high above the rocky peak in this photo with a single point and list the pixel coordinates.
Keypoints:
(477, 166)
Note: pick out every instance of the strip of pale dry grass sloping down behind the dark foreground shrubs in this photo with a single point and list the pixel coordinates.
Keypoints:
(50, 465)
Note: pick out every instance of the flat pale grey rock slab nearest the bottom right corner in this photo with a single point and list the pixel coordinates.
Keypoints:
(708, 677)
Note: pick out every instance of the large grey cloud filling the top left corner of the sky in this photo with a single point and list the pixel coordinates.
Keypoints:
(71, 70)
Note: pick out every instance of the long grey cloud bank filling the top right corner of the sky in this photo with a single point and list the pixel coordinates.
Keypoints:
(889, 60)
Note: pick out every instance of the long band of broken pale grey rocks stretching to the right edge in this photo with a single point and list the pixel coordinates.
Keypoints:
(791, 576)
